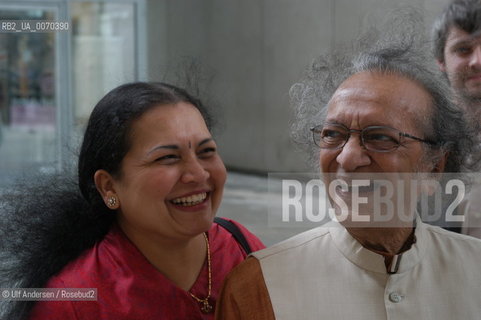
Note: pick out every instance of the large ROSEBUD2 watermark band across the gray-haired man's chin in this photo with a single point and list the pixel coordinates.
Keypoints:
(368, 199)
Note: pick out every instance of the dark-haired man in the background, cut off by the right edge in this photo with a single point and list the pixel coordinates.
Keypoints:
(457, 48)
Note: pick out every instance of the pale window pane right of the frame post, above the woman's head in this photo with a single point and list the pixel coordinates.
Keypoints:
(103, 50)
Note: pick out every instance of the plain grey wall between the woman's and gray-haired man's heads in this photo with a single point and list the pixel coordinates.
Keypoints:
(255, 50)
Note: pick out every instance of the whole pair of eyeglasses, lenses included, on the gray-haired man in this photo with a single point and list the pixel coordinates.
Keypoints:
(373, 138)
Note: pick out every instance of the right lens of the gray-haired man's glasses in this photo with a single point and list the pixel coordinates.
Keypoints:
(380, 139)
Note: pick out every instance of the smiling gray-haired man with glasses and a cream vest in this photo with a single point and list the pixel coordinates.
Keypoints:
(385, 113)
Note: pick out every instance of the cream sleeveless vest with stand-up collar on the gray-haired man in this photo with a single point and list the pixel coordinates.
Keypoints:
(325, 273)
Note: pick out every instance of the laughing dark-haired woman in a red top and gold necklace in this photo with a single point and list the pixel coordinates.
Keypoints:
(150, 171)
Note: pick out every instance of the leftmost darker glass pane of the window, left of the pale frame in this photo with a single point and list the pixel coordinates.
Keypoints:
(27, 97)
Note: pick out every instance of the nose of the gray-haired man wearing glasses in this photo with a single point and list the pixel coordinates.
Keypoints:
(353, 155)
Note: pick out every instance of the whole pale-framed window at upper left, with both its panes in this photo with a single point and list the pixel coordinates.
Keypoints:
(38, 101)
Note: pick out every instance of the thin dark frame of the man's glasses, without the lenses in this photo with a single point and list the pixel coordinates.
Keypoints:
(318, 129)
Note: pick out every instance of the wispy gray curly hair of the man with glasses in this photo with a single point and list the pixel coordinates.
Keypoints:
(404, 53)
